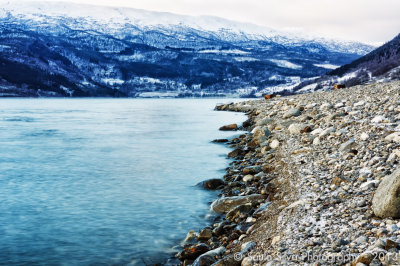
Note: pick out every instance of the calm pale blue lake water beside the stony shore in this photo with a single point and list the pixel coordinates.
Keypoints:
(105, 181)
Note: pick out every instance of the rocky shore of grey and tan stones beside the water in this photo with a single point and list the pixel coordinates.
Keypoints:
(314, 182)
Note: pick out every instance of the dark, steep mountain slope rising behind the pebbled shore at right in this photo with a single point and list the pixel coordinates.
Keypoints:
(380, 65)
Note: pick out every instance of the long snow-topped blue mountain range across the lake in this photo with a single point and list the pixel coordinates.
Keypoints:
(65, 49)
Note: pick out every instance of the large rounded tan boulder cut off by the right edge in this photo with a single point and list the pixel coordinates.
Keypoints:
(386, 201)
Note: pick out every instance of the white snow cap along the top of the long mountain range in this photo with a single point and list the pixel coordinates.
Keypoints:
(118, 17)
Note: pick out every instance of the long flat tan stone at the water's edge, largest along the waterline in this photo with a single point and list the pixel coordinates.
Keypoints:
(224, 205)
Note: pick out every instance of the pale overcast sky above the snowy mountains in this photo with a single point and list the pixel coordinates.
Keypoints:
(371, 21)
